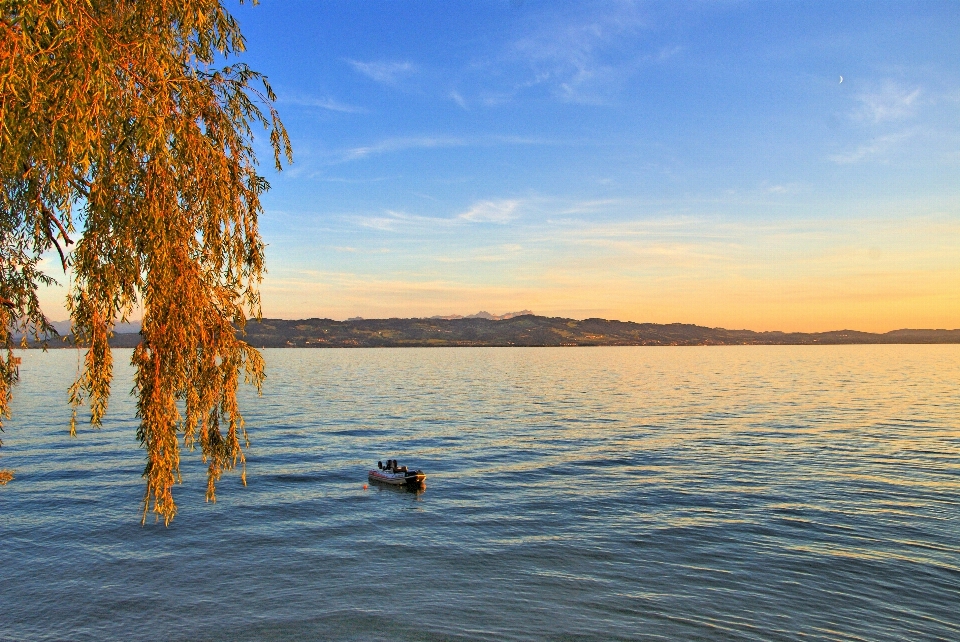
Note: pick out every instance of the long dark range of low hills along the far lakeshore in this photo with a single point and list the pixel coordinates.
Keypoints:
(532, 330)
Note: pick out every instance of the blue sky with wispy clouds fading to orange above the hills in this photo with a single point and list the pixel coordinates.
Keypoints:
(695, 162)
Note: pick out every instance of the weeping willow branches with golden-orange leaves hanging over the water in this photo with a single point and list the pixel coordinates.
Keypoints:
(126, 146)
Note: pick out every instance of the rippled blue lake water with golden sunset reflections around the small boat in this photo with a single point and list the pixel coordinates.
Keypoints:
(736, 493)
